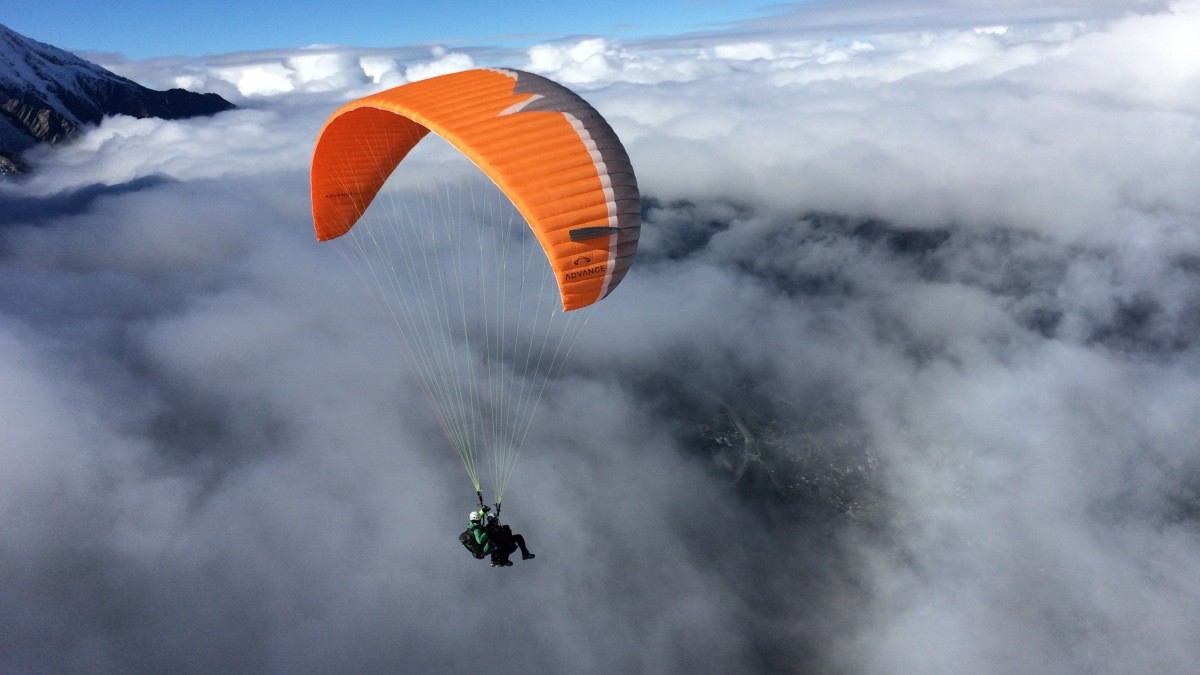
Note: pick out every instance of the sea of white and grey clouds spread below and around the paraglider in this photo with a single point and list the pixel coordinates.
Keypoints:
(907, 378)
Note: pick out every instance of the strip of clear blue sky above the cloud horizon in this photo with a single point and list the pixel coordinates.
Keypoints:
(141, 29)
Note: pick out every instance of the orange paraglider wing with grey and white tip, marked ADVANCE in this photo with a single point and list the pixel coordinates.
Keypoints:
(549, 151)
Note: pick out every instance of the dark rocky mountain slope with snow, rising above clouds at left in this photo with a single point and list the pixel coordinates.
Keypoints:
(49, 94)
